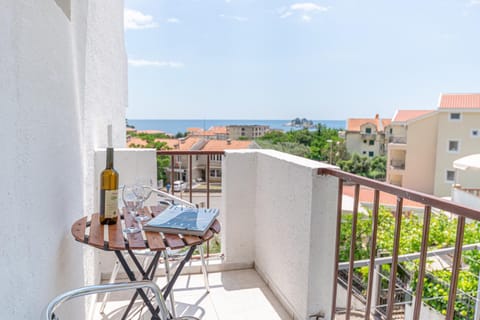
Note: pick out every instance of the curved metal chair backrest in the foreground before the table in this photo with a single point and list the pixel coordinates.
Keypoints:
(48, 313)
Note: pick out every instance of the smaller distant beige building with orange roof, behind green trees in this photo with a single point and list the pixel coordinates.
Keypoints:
(366, 136)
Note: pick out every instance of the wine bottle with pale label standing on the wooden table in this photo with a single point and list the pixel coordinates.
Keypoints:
(109, 187)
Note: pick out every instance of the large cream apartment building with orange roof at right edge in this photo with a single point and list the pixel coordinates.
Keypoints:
(424, 144)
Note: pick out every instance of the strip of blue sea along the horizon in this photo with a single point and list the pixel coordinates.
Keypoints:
(181, 125)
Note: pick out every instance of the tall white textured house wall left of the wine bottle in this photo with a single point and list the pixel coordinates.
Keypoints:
(62, 79)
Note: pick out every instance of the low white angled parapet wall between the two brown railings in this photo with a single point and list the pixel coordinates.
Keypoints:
(279, 215)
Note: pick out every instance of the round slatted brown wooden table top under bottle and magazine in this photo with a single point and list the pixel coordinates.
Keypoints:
(88, 230)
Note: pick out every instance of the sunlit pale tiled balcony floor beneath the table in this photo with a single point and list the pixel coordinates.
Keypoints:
(240, 294)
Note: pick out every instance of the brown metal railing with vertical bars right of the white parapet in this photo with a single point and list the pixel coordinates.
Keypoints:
(401, 194)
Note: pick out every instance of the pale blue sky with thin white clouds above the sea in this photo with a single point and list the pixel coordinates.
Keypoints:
(329, 60)
